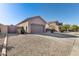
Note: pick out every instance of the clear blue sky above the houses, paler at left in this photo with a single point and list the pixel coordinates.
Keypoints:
(14, 13)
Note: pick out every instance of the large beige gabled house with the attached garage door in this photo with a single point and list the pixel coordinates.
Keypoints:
(32, 25)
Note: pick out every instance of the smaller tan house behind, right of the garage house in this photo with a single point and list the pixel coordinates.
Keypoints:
(54, 25)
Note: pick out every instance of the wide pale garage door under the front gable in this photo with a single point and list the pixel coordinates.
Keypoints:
(37, 28)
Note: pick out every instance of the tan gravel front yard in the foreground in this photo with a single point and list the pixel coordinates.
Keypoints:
(35, 45)
